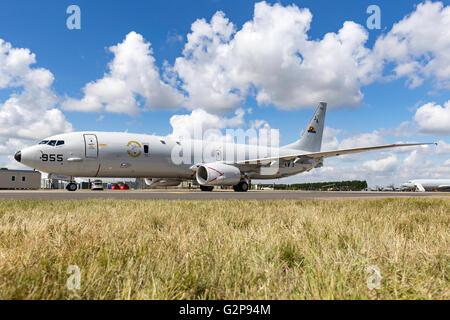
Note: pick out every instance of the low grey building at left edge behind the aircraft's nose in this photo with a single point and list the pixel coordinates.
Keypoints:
(20, 179)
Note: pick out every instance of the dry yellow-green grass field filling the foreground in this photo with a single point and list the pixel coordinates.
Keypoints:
(225, 249)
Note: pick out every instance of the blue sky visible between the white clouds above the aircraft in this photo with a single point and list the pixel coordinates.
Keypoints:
(78, 57)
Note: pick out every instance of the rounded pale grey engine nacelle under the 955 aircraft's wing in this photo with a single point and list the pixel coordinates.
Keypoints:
(218, 174)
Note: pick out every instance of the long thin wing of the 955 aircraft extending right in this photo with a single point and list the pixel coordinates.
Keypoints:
(326, 154)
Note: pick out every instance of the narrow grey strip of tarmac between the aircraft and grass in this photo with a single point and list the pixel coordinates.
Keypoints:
(215, 195)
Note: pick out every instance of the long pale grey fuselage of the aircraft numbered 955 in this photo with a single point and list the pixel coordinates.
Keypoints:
(116, 155)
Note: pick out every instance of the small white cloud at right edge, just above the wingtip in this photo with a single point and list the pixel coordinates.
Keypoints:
(433, 119)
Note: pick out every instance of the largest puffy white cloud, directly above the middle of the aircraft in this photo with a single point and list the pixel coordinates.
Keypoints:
(272, 58)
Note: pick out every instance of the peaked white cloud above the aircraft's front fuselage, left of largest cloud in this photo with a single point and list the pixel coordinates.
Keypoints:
(132, 72)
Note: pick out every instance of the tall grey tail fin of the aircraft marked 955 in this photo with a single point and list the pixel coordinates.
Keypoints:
(311, 139)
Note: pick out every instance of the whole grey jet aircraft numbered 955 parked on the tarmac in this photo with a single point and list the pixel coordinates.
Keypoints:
(119, 154)
